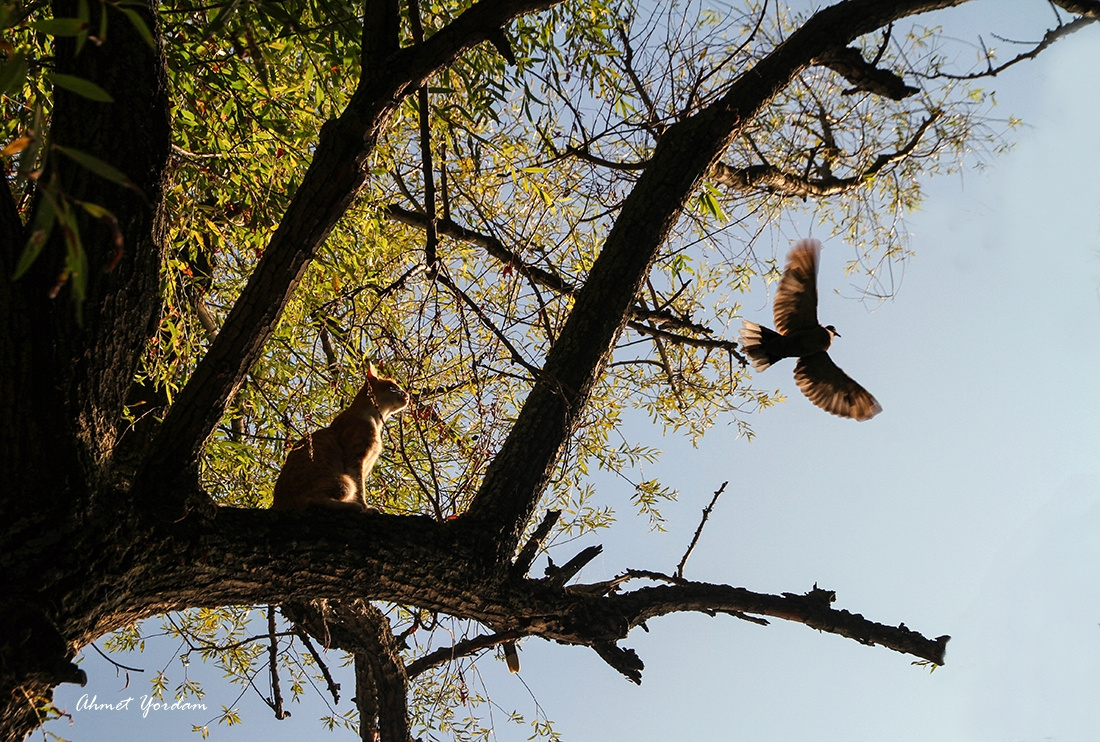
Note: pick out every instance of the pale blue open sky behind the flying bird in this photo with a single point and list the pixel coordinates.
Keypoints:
(970, 507)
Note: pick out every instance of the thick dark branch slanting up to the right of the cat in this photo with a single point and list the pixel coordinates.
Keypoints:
(684, 157)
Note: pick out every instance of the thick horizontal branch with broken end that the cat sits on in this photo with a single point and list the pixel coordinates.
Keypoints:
(246, 557)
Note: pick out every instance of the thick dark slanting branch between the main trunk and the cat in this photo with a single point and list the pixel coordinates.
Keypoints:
(335, 176)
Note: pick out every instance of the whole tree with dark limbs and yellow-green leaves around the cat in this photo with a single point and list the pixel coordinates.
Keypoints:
(193, 274)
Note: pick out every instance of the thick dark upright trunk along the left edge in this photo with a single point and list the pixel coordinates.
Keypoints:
(71, 363)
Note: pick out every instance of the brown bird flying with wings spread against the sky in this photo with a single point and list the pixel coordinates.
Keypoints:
(798, 335)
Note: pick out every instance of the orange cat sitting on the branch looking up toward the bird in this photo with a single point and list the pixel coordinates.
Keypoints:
(328, 468)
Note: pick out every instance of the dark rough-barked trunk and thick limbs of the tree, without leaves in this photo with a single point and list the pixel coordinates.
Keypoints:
(85, 552)
